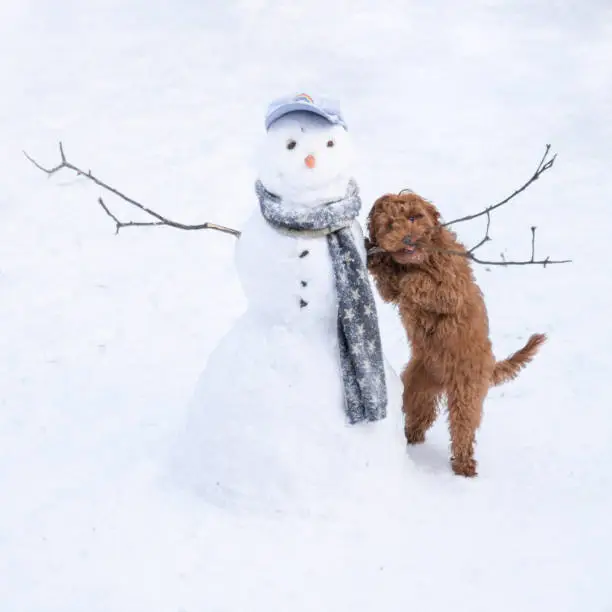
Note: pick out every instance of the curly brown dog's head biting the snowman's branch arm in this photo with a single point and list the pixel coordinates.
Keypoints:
(403, 225)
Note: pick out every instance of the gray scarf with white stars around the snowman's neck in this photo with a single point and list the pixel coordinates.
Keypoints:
(361, 358)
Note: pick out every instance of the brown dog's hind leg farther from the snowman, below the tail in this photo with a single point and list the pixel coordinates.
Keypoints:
(464, 415)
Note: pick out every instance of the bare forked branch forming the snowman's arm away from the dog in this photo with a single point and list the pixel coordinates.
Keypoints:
(160, 219)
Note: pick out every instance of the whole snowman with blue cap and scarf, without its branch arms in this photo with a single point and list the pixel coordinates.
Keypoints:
(297, 401)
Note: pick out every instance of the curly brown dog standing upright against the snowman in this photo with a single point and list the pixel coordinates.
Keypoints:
(417, 264)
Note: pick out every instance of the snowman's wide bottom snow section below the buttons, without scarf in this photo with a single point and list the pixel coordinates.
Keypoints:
(258, 437)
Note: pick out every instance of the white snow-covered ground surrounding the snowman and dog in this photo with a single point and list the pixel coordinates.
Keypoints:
(103, 337)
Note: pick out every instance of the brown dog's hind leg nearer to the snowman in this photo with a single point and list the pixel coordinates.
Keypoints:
(420, 401)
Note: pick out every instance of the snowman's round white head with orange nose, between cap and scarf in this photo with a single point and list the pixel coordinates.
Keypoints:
(305, 158)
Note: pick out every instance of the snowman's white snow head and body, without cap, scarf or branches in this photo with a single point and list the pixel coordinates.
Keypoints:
(267, 421)
